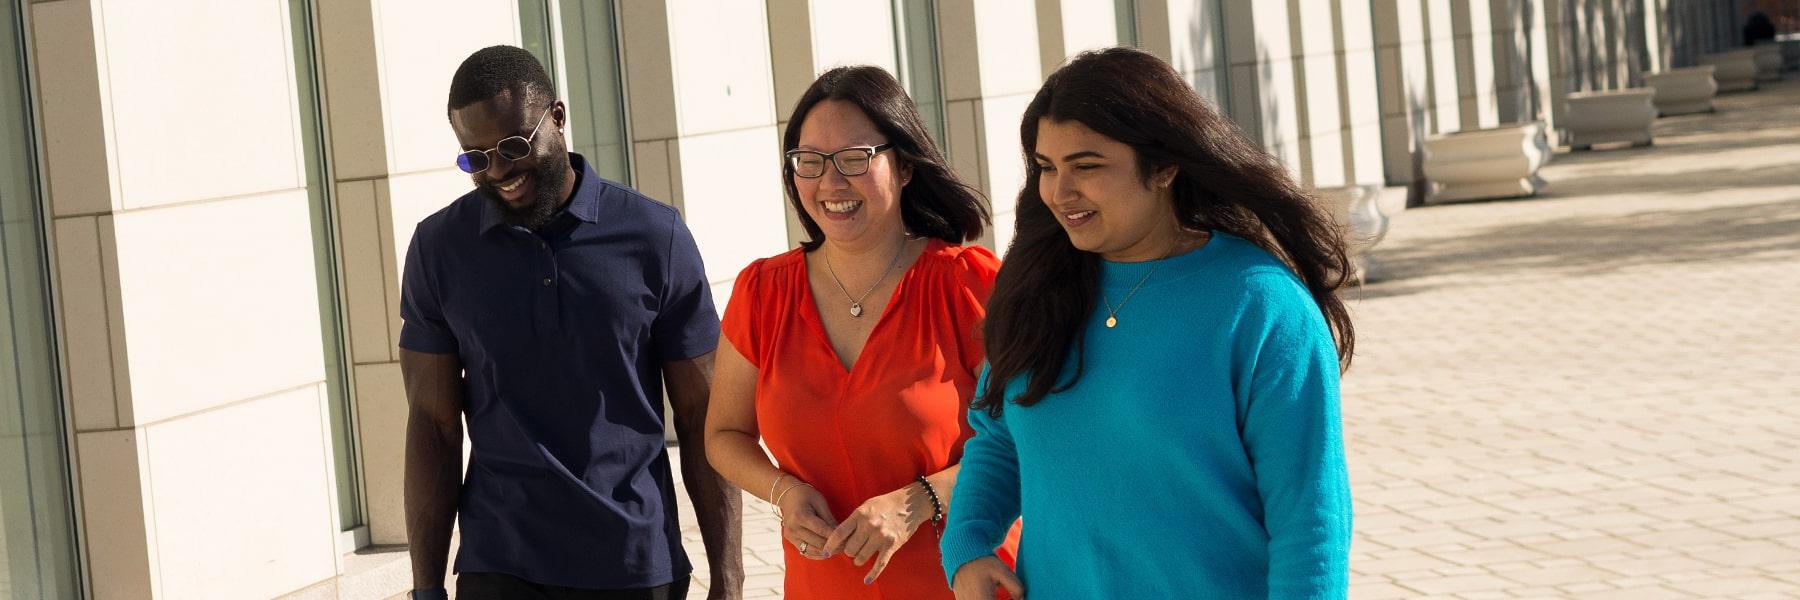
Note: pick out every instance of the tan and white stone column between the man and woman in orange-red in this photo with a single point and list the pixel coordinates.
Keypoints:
(705, 134)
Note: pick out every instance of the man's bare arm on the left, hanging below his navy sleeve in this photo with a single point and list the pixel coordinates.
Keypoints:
(435, 460)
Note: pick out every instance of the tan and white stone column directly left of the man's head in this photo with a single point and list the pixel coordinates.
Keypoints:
(388, 68)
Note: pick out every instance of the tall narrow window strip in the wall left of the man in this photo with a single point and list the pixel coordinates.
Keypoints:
(332, 322)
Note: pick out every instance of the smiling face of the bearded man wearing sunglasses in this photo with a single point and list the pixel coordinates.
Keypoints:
(530, 190)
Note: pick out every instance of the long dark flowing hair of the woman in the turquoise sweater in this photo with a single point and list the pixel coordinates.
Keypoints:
(1048, 287)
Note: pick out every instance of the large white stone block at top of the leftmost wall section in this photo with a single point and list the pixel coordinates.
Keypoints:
(181, 134)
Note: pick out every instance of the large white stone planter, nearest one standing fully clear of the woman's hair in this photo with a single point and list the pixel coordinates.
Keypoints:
(1500, 163)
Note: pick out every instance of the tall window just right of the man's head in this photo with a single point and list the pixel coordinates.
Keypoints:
(579, 42)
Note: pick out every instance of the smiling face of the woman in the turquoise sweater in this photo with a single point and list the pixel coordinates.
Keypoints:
(1093, 186)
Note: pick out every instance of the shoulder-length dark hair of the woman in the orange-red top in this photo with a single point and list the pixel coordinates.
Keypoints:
(935, 203)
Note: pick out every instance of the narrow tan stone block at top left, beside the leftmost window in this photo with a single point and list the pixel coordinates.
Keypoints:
(73, 104)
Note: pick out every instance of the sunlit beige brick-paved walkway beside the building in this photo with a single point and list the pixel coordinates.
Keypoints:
(1594, 394)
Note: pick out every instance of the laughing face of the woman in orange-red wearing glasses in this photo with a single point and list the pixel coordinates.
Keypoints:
(861, 210)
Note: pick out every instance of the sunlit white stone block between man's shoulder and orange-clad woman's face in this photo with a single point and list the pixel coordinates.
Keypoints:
(733, 208)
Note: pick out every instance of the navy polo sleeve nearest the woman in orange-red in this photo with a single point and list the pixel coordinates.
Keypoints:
(687, 323)
